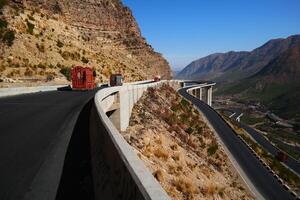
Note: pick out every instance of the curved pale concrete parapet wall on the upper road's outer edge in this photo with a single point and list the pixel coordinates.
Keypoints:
(118, 172)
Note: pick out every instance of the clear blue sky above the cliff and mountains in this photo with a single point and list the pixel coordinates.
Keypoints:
(185, 30)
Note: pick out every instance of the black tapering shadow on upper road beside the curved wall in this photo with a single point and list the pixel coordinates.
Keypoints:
(76, 181)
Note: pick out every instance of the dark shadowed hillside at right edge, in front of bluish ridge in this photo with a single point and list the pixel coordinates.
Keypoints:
(276, 85)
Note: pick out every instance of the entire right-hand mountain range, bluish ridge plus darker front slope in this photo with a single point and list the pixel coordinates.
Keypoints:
(269, 74)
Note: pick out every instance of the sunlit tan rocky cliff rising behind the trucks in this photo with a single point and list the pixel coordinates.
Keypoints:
(42, 37)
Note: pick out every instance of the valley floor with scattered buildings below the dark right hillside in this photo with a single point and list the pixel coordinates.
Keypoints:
(257, 116)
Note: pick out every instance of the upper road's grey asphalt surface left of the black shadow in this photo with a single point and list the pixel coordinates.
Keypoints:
(35, 130)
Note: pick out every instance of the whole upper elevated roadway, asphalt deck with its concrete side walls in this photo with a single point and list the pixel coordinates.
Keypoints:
(93, 141)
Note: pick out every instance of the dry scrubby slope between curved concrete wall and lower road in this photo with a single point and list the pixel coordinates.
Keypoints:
(180, 149)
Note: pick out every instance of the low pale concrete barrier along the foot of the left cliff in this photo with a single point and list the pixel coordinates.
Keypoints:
(26, 90)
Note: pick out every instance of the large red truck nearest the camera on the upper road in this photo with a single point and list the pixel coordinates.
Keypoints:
(82, 78)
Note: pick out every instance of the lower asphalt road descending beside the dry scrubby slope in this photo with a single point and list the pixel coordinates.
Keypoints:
(262, 180)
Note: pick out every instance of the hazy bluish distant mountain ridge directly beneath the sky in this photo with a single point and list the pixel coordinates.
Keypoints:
(233, 66)
